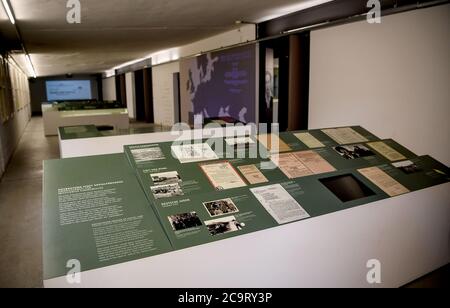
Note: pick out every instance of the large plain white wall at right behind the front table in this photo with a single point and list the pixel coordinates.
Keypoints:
(391, 78)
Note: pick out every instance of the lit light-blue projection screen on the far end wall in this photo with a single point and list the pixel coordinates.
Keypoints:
(66, 90)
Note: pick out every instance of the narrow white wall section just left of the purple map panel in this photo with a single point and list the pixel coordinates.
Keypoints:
(163, 95)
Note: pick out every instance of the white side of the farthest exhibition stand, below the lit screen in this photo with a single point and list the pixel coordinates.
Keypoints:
(117, 118)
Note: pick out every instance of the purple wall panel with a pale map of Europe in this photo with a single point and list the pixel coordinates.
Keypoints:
(219, 85)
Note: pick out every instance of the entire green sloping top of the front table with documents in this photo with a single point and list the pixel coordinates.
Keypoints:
(160, 197)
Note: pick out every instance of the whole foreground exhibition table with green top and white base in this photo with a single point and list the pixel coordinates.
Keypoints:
(165, 214)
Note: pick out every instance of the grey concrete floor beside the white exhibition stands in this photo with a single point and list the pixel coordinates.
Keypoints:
(21, 213)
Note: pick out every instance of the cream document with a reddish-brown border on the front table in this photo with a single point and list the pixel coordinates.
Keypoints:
(223, 176)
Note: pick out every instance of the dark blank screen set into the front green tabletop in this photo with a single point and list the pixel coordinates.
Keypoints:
(347, 187)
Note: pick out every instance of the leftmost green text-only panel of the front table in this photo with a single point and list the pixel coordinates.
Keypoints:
(95, 212)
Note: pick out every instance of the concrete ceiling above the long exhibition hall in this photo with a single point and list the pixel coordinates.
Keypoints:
(113, 32)
